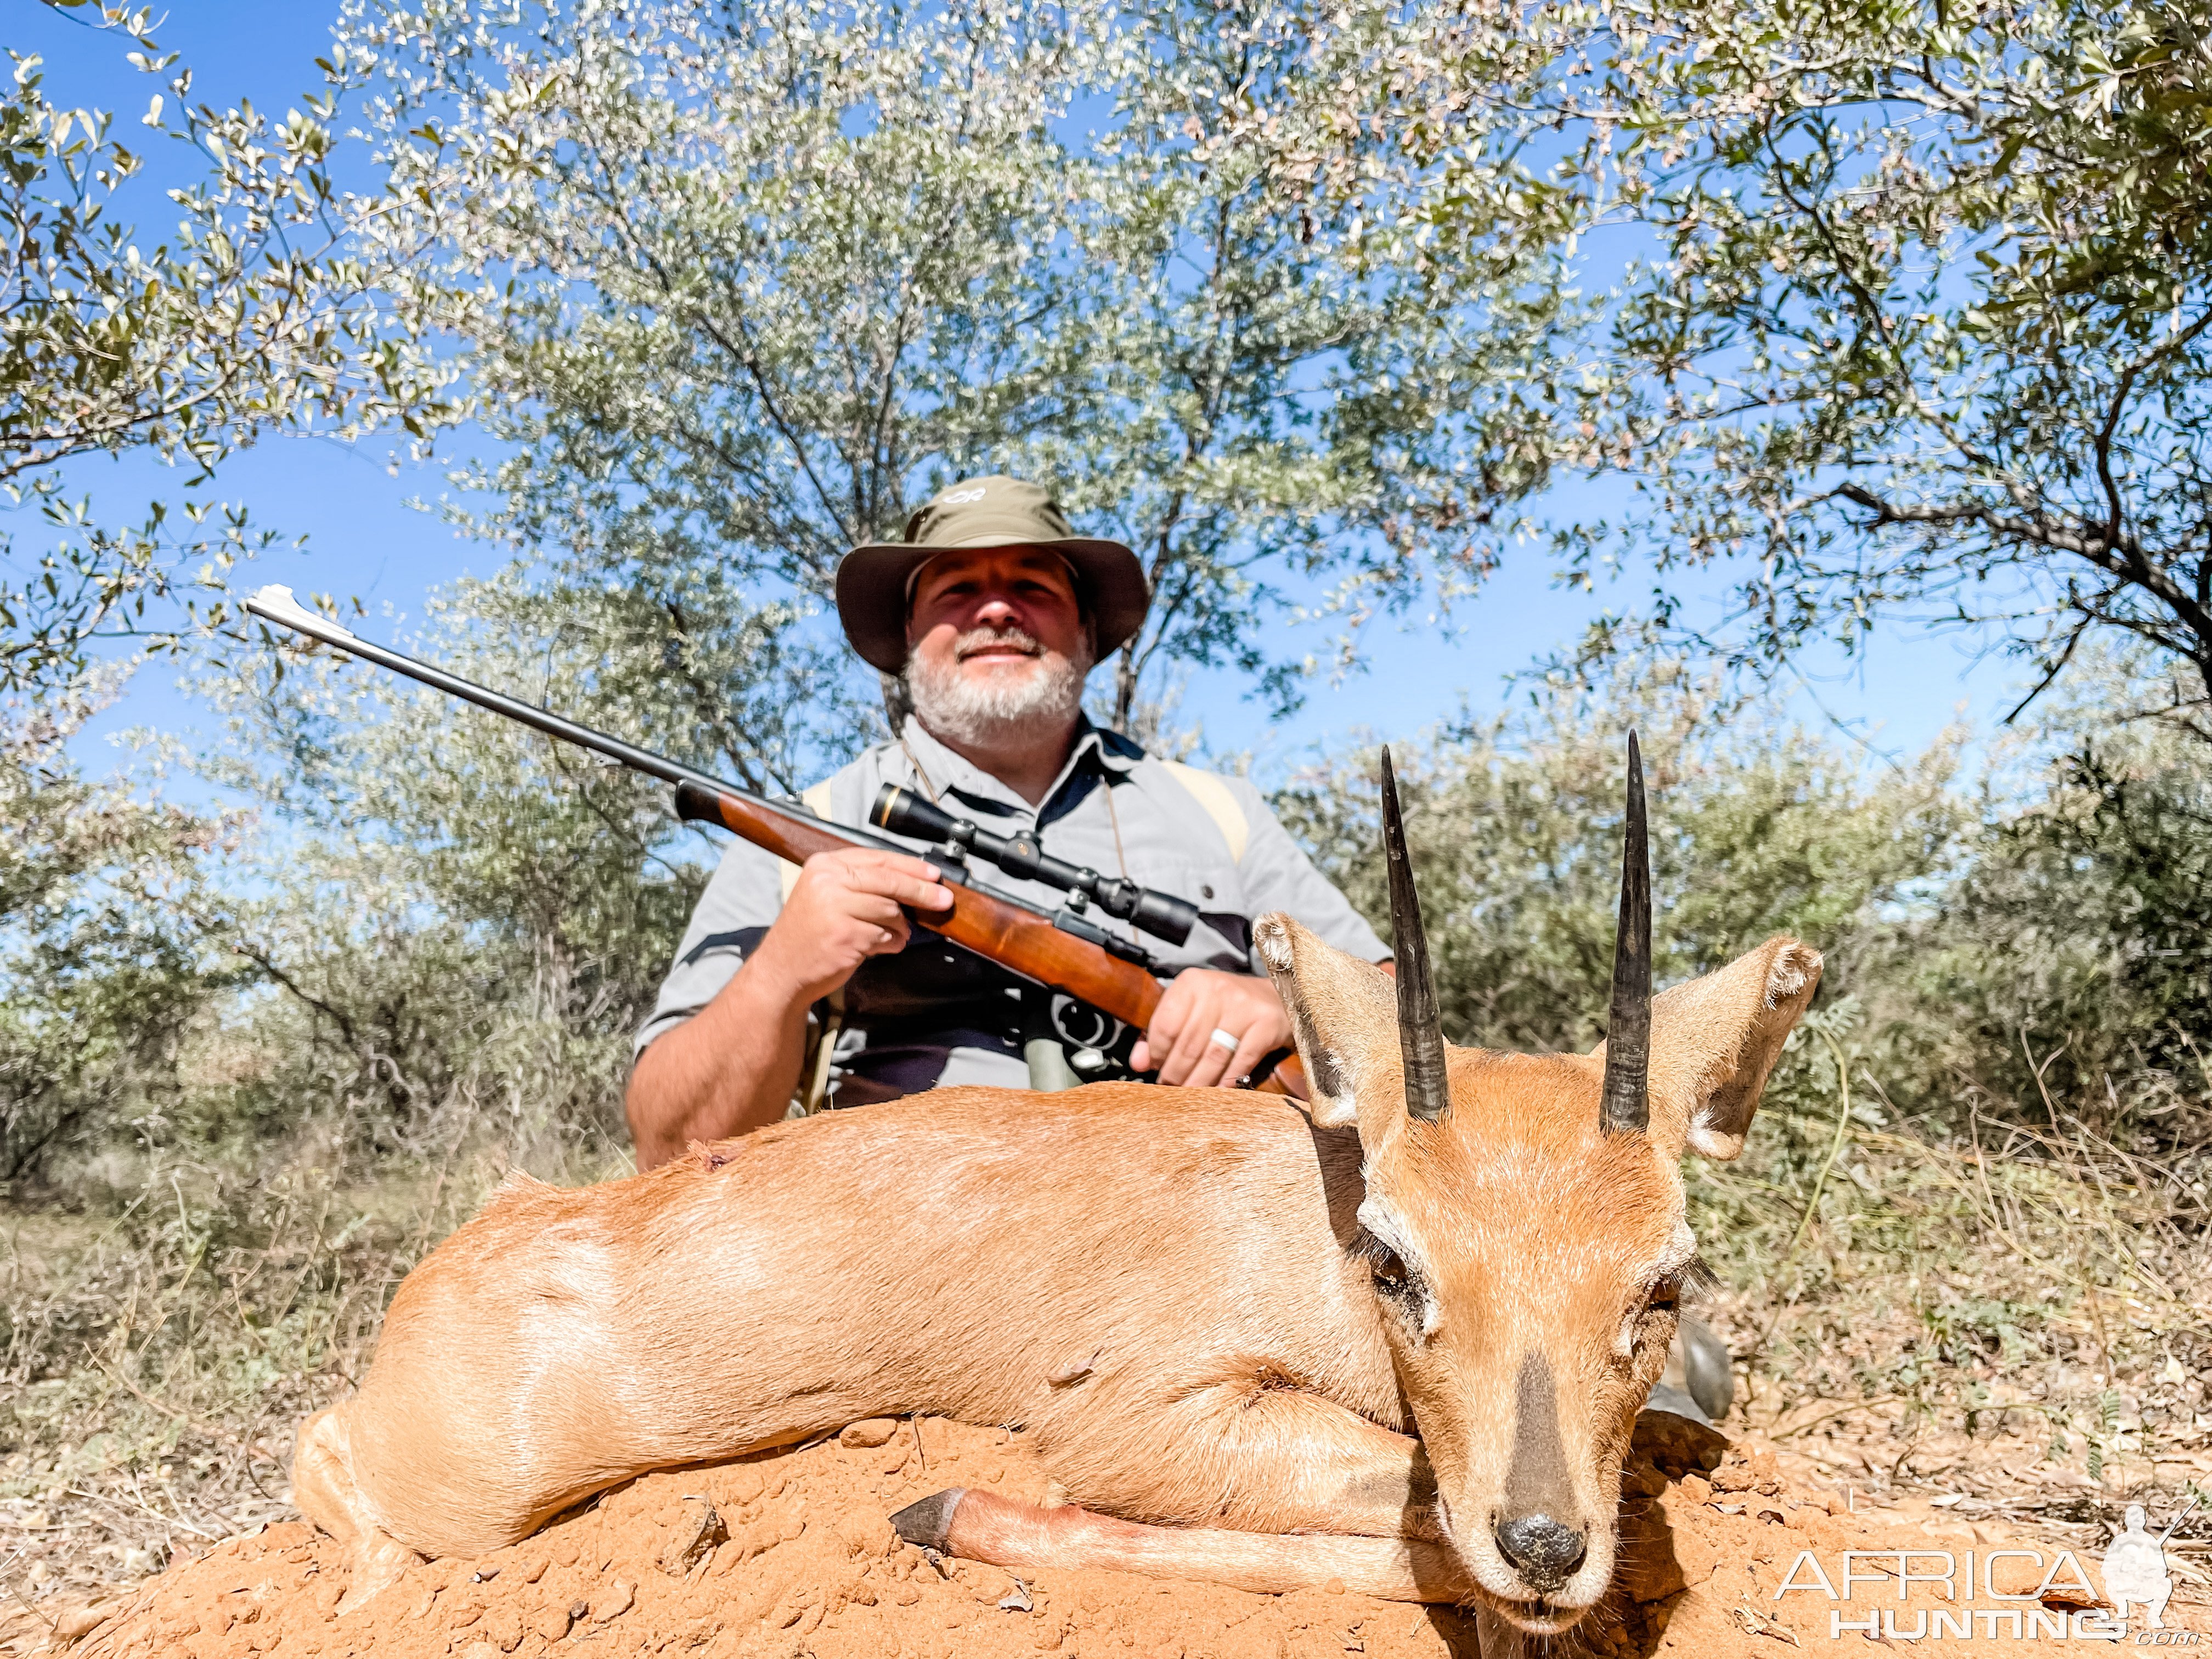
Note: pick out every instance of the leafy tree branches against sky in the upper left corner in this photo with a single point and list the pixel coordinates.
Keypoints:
(242, 322)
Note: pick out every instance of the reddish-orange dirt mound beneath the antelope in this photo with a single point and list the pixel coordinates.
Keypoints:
(791, 1554)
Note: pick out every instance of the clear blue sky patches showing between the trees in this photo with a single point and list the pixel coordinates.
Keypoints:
(366, 543)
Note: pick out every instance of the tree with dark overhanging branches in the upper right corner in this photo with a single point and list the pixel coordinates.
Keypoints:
(1919, 306)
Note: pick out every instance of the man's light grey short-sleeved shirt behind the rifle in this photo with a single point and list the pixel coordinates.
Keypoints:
(937, 1014)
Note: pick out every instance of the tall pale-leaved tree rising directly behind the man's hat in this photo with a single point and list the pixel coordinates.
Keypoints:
(735, 289)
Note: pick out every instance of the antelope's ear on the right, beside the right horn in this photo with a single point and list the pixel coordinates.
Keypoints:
(1718, 1039)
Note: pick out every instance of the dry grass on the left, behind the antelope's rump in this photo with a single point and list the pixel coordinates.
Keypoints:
(160, 1350)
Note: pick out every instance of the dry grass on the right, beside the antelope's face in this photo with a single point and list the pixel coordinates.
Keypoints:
(2010, 1322)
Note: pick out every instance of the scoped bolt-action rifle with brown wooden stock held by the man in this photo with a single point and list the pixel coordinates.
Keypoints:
(1058, 952)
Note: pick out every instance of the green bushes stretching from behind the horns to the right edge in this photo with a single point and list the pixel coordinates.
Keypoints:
(1983, 950)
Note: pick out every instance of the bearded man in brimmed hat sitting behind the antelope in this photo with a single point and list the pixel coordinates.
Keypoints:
(994, 612)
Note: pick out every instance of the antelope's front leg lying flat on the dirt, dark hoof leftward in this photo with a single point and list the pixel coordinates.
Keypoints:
(985, 1527)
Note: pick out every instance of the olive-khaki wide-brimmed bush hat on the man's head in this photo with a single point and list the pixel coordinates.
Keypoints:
(873, 583)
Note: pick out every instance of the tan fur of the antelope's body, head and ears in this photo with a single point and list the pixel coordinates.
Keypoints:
(1151, 1280)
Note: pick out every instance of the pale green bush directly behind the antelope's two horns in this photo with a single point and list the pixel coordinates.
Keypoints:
(1516, 835)
